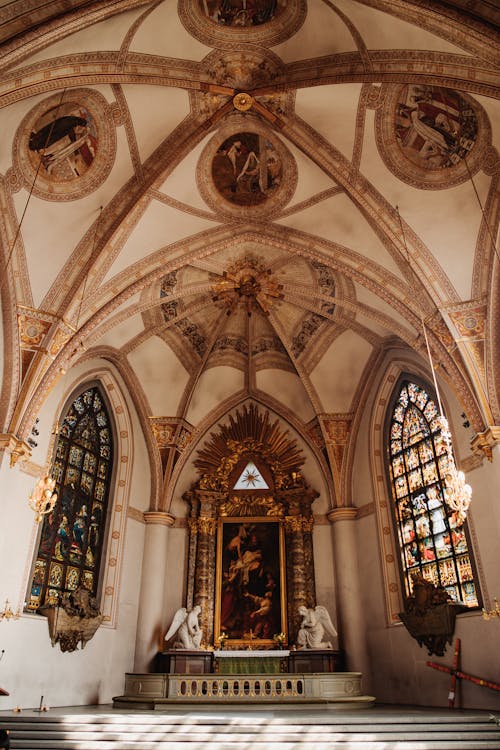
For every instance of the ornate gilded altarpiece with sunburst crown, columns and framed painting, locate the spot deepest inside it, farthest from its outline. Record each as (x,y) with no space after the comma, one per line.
(250,555)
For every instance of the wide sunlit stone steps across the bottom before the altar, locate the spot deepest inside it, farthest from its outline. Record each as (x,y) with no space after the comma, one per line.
(267,730)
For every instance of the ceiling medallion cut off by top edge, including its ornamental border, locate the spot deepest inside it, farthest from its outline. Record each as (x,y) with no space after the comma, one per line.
(221,23)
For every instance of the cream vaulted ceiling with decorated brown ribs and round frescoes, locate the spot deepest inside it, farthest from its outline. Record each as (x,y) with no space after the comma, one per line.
(249,198)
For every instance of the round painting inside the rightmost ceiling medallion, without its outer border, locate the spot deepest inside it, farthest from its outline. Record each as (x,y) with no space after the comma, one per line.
(435,127)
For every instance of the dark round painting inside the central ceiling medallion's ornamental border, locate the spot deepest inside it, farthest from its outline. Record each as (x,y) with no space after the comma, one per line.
(247,169)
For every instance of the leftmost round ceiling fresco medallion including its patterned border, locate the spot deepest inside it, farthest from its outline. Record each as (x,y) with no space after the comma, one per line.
(67,144)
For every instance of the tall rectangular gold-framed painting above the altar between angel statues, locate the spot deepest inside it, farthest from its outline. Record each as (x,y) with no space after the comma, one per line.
(250,595)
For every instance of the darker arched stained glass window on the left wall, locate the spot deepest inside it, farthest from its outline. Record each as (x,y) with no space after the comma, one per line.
(71,540)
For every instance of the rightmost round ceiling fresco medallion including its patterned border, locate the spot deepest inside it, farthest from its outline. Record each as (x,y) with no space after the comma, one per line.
(425,133)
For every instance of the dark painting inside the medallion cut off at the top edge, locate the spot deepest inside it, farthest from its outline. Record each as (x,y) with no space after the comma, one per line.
(242,13)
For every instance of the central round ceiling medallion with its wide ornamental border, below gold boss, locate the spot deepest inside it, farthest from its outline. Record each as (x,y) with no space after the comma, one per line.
(247,172)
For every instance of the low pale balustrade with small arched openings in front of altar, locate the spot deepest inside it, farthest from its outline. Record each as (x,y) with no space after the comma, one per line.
(154,691)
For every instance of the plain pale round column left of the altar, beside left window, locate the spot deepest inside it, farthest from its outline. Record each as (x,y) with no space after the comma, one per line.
(154,575)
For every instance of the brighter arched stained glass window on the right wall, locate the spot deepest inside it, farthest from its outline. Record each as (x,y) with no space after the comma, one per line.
(431,539)
